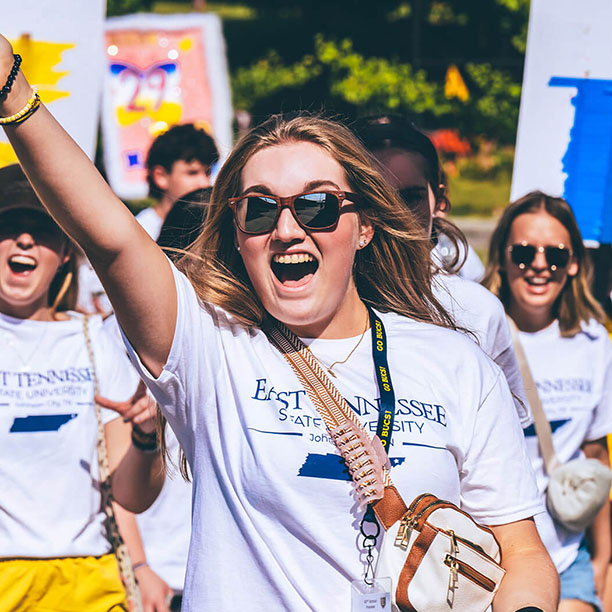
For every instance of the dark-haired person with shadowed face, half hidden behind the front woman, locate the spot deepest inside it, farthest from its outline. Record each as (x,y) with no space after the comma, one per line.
(409,161)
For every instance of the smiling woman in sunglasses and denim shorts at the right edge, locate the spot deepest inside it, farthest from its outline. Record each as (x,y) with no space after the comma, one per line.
(538,268)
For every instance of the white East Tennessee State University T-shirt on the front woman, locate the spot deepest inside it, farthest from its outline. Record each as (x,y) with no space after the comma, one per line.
(272,500)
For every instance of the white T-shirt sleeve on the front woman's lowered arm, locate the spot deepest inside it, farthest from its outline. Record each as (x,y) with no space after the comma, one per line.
(498,485)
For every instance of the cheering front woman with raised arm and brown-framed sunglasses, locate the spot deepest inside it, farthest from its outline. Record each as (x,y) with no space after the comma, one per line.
(275,523)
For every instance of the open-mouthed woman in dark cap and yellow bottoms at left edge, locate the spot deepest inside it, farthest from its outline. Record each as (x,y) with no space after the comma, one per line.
(54,549)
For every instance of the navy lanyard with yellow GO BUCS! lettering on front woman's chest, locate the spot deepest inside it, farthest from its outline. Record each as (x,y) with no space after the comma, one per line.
(386,410)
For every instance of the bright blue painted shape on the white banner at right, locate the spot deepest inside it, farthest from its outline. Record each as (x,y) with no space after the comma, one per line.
(588,159)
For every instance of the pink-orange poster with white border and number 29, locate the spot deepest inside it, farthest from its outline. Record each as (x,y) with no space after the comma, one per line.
(161,70)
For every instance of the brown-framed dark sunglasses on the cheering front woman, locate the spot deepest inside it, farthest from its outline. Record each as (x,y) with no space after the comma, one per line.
(258,213)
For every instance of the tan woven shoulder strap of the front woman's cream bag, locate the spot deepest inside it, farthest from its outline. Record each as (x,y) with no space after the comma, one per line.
(332,407)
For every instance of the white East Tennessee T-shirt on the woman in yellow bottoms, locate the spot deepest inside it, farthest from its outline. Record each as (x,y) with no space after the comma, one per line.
(49,498)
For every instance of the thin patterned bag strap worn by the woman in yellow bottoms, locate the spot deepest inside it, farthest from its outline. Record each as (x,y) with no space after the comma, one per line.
(112,530)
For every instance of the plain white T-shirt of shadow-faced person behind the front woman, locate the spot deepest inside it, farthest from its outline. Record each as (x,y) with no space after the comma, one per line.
(476,309)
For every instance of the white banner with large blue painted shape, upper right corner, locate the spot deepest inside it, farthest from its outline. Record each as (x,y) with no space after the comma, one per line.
(564,140)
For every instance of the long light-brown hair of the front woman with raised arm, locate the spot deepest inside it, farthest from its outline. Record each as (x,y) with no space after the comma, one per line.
(393,273)
